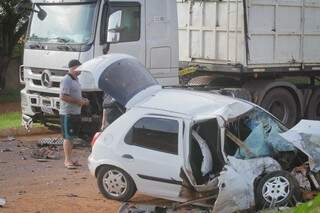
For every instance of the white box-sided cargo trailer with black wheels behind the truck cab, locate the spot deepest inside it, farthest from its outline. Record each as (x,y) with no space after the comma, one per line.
(270,49)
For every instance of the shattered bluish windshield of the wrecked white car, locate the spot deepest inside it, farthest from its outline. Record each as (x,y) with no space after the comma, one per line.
(255,134)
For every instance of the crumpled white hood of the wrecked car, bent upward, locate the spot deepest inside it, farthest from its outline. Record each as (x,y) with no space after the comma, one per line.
(306,137)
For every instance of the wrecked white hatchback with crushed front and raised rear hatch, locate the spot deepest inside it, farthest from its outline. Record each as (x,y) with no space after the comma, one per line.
(222,153)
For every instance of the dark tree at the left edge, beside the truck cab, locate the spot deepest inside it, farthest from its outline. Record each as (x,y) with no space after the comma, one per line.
(12,27)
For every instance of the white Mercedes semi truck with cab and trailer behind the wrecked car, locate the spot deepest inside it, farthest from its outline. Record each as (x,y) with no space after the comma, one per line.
(246,48)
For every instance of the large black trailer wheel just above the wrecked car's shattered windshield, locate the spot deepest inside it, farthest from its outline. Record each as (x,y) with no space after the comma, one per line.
(281,103)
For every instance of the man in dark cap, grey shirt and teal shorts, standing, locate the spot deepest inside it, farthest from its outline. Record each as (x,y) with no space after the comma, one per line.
(70,110)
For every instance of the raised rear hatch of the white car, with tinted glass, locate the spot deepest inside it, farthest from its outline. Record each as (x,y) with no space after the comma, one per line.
(123,77)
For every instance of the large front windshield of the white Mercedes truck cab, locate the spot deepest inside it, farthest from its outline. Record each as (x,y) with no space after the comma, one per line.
(69,23)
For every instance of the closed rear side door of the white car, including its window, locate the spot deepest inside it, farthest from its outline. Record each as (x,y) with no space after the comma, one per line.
(152,152)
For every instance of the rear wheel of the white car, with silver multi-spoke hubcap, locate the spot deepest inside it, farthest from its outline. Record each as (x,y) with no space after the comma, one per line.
(115,184)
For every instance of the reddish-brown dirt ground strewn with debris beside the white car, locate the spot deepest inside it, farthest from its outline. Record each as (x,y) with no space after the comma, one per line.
(32,186)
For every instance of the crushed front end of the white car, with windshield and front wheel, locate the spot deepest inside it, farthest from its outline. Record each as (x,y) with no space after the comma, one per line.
(274,166)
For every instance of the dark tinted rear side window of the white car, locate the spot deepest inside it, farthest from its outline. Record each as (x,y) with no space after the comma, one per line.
(155,133)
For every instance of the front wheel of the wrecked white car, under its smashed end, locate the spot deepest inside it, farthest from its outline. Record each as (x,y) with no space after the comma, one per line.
(276,189)
